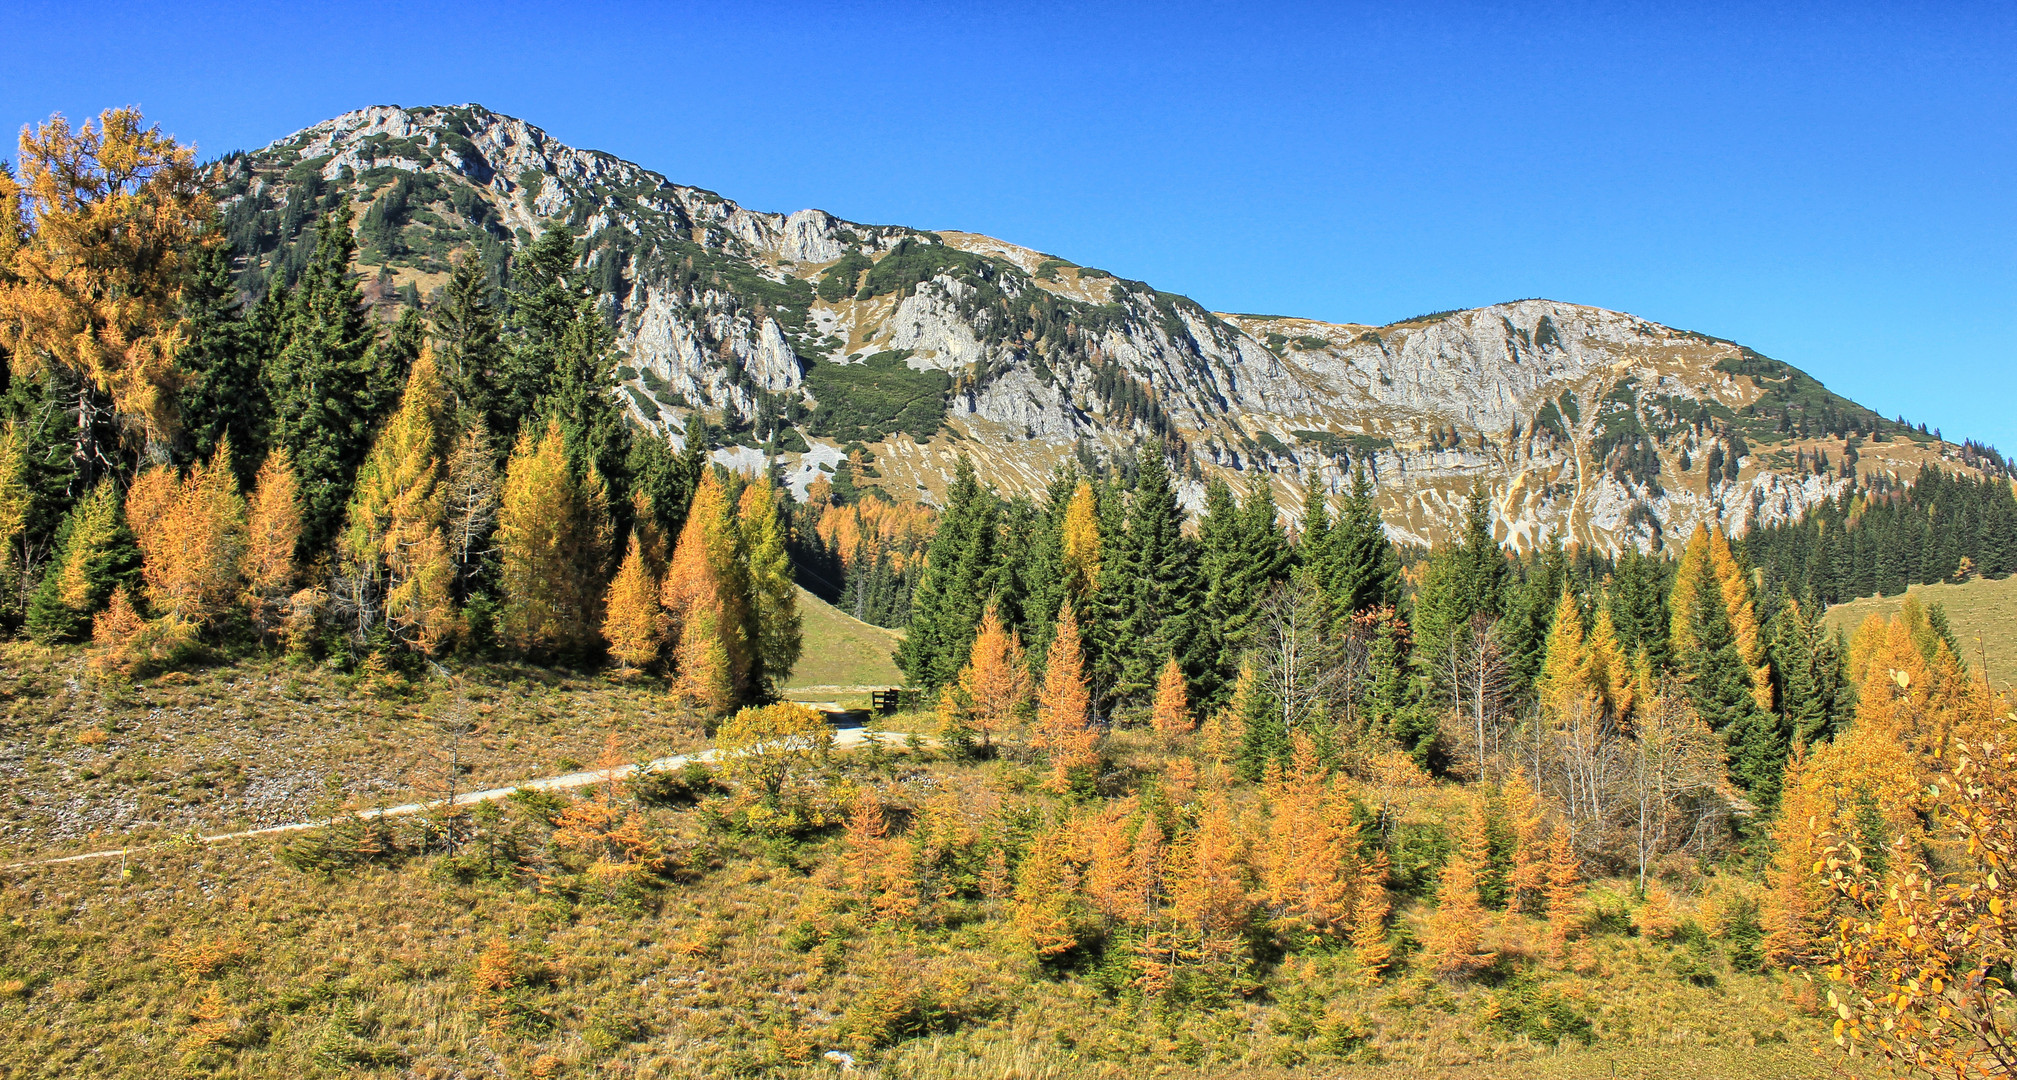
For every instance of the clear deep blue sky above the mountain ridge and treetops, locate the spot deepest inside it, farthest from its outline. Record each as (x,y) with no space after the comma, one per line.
(1830,185)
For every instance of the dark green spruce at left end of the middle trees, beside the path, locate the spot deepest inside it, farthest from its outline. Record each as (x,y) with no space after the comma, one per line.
(957,584)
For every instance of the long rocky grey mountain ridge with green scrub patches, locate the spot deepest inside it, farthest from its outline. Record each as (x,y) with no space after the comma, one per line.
(812,338)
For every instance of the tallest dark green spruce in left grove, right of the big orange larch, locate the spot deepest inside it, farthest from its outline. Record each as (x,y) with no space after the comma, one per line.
(320,379)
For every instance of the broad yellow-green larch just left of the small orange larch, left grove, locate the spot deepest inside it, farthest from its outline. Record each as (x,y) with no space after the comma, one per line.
(552,538)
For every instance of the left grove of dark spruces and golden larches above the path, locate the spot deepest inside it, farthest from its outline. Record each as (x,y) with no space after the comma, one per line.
(185,467)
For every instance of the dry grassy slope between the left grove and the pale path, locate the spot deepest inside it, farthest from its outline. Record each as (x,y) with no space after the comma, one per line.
(90,764)
